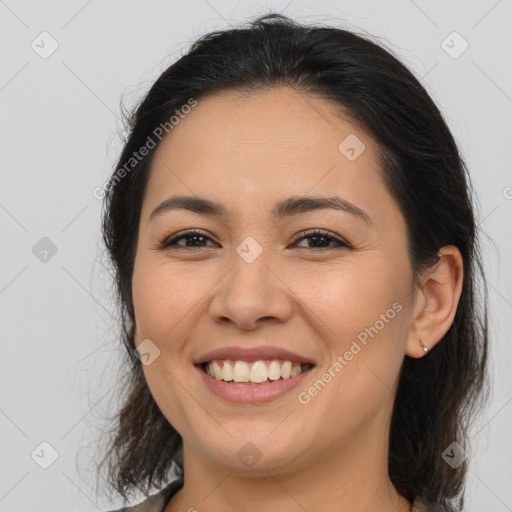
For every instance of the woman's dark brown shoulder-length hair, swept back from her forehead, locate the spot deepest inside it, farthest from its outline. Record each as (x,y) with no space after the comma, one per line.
(438,394)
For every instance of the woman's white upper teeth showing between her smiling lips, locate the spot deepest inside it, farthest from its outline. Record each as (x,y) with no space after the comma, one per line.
(241,371)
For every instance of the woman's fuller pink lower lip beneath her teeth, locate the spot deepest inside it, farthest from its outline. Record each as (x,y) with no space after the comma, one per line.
(252,393)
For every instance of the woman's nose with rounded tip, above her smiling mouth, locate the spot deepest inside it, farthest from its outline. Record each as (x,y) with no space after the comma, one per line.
(249,294)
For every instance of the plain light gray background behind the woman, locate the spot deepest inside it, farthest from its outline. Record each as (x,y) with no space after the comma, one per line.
(59,125)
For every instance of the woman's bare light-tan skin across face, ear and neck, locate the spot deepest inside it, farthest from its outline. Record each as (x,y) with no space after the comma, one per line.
(247,153)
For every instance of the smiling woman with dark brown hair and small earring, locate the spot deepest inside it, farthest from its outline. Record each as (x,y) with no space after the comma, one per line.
(295,252)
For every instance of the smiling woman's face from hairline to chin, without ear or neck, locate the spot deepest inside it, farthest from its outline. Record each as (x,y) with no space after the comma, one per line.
(249,278)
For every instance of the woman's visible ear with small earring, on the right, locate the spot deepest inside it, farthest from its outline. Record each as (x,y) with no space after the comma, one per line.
(436,301)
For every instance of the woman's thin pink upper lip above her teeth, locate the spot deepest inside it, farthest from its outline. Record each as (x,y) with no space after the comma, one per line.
(252,354)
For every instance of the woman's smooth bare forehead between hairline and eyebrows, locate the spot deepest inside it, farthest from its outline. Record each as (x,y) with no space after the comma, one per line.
(266,145)
